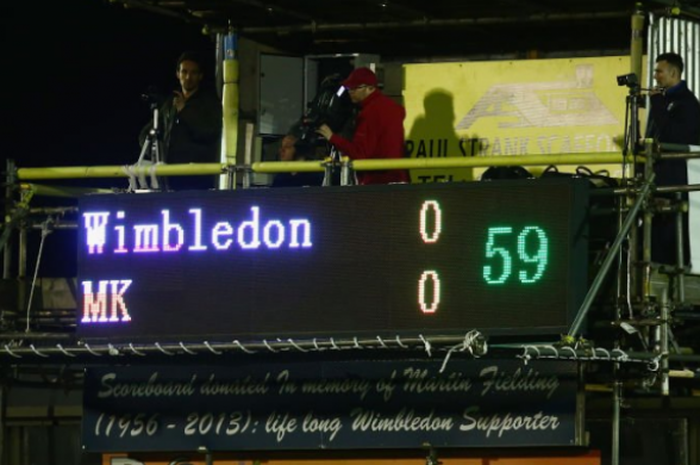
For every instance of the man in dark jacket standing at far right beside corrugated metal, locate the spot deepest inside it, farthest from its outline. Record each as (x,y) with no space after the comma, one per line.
(674,117)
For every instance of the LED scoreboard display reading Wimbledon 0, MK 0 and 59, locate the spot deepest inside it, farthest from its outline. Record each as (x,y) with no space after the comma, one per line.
(503,257)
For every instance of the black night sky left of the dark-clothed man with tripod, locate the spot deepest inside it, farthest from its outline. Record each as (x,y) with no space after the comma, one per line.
(75,74)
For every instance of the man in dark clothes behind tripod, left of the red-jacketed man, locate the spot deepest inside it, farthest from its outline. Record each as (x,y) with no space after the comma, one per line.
(191,121)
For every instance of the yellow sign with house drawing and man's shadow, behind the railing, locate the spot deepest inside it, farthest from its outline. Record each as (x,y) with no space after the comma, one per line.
(527,107)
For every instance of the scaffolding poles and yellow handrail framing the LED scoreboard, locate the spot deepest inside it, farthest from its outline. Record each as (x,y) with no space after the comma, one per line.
(642,312)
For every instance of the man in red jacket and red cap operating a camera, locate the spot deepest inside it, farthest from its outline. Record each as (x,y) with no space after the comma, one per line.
(378,131)
